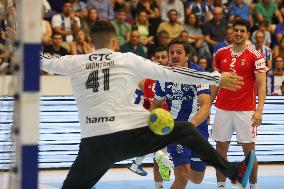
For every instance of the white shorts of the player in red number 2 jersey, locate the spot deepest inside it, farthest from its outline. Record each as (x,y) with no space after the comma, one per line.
(226,122)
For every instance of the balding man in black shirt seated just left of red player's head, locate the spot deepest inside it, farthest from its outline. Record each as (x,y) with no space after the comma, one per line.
(214,30)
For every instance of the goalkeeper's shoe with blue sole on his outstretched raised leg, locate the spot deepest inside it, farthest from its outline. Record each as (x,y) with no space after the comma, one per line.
(244,170)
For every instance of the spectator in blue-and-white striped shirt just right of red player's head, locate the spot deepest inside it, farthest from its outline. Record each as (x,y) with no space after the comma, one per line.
(260,46)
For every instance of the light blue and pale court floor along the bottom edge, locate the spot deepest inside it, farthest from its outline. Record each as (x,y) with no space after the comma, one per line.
(270,177)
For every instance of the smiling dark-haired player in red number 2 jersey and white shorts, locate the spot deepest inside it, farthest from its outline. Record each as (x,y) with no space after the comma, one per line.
(236,110)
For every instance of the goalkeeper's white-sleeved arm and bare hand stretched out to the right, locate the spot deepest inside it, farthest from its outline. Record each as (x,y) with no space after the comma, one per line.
(146,69)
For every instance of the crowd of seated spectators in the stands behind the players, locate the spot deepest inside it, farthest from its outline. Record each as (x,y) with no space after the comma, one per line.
(144,25)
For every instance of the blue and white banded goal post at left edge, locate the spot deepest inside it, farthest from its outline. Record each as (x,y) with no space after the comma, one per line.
(26,113)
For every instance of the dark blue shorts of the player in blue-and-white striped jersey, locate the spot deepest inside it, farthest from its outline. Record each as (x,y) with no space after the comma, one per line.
(182,155)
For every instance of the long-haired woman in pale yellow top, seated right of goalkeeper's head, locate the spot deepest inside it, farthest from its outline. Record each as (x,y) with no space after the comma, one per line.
(142,25)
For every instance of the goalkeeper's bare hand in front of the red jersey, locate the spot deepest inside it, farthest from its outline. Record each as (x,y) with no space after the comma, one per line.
(231,81)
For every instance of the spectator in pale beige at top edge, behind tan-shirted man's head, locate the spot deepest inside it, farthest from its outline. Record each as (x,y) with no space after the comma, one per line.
(168,5)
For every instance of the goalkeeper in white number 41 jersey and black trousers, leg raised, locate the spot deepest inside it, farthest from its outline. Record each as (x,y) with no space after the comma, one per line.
(114,129)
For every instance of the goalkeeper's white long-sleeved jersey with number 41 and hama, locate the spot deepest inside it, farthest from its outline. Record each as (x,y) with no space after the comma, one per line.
(104,82)
